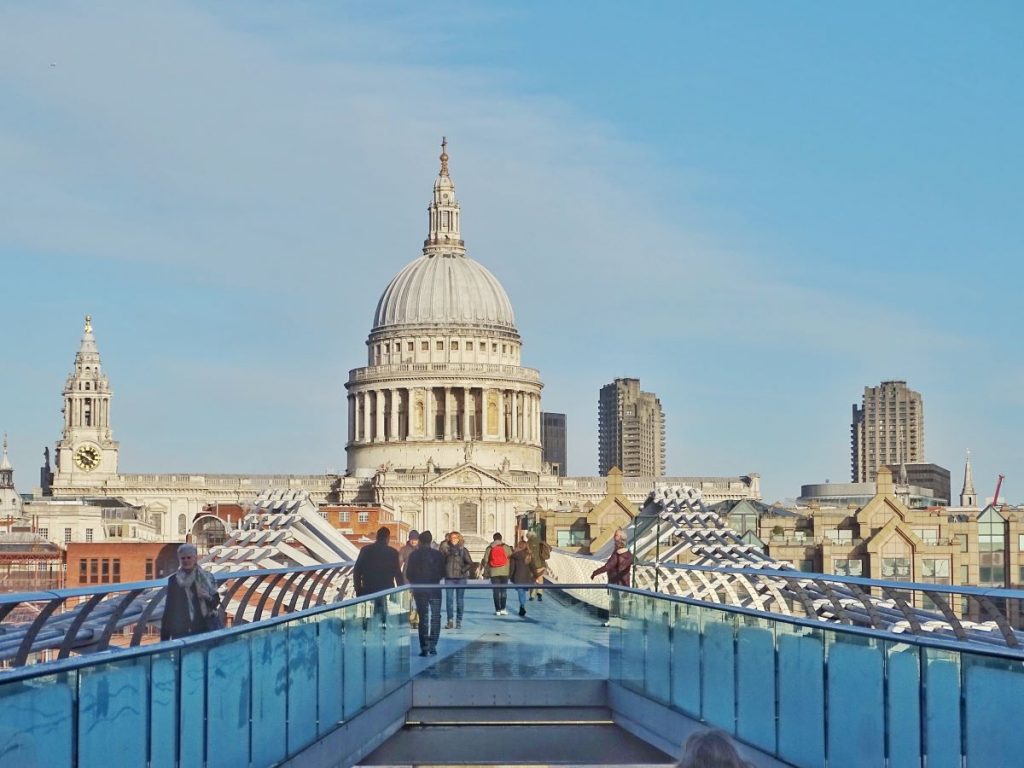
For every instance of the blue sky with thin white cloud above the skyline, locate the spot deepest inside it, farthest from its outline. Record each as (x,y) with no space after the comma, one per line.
(757,210)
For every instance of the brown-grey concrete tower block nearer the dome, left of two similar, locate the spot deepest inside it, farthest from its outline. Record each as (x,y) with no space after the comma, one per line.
(631,431)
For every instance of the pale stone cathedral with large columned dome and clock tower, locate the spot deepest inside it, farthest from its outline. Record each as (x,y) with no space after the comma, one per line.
(444,420)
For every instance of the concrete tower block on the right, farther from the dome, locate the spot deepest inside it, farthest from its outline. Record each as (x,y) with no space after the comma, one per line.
(888,430)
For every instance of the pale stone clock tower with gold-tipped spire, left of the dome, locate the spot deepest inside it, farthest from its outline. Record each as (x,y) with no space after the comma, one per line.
(87,453)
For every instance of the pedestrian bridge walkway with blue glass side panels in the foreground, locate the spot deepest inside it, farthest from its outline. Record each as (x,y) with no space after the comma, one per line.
(343,685)
